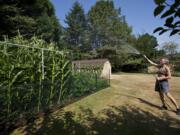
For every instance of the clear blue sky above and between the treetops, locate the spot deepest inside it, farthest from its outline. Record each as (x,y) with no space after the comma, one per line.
(138,14)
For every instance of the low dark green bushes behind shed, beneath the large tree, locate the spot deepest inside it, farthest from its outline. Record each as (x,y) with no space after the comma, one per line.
(122,61)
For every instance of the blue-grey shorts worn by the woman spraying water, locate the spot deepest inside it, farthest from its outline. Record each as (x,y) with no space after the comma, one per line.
(162,86)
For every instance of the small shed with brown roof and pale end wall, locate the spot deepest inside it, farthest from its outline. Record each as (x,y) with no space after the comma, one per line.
(94,63)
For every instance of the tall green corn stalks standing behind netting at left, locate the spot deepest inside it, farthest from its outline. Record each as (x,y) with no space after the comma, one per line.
(28,82)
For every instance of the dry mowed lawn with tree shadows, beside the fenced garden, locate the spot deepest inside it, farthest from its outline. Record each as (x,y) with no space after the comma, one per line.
(129,107)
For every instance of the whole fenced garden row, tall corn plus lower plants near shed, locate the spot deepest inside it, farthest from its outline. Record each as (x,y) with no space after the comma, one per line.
(35,77)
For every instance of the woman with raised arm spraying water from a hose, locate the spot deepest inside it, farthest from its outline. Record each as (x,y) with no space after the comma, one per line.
(162,84)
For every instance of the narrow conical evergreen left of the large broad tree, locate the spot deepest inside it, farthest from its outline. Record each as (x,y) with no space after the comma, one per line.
(77,25)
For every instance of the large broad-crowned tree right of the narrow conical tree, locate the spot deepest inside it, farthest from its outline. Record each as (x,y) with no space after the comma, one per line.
(107,26)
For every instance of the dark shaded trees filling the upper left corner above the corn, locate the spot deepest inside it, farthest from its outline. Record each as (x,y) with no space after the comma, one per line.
(30,17)
